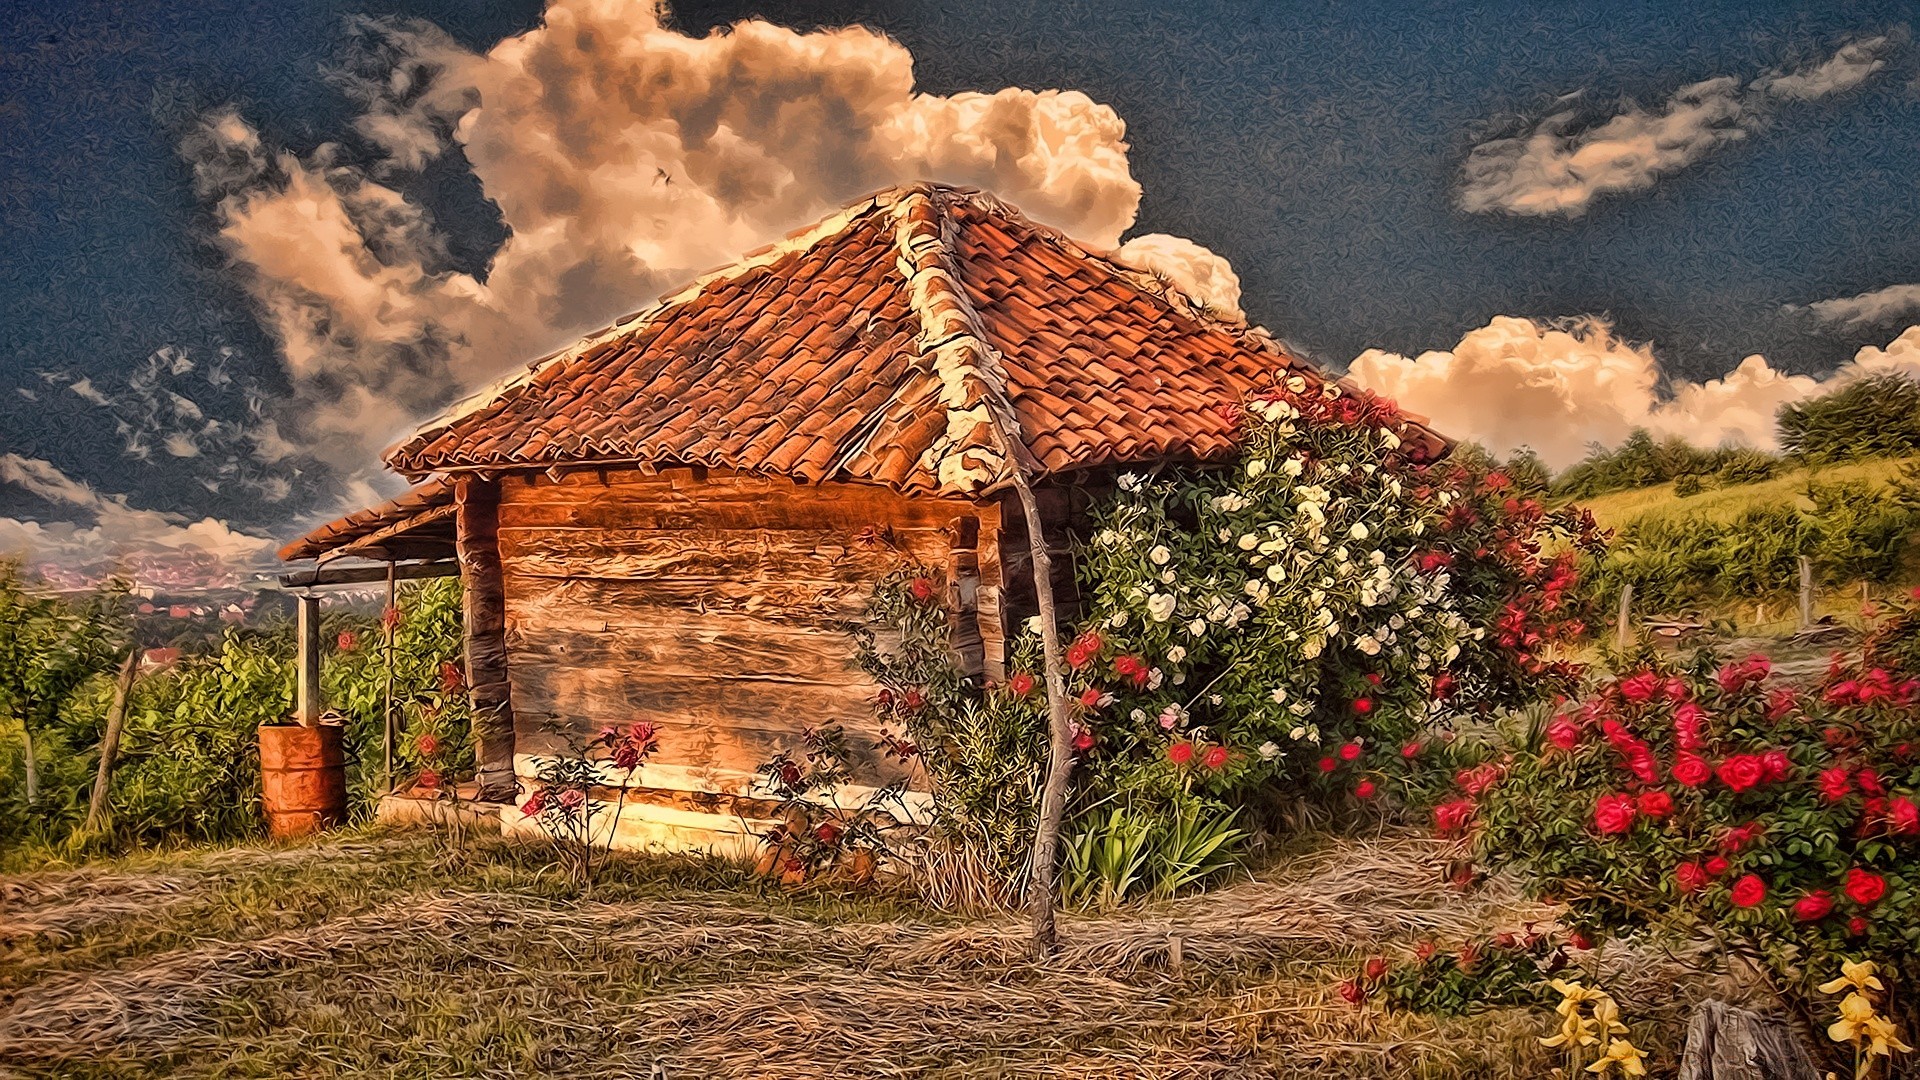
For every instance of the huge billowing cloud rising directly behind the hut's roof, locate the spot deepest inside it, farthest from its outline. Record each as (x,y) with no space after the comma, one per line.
(625,159)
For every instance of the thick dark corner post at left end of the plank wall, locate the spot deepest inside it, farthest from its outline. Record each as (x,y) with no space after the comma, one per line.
(485,606)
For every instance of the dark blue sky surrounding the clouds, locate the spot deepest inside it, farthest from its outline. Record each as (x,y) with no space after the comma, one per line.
(1318,147)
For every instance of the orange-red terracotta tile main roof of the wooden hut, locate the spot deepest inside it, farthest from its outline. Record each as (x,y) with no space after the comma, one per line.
(915,339)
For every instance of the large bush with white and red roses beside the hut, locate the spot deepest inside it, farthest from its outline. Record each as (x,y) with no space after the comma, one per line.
(1318,616)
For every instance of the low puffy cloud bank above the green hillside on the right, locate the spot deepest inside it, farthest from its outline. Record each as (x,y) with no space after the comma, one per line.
(1560,387)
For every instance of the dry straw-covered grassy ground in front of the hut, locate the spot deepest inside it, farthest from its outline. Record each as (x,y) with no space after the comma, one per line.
(375,954)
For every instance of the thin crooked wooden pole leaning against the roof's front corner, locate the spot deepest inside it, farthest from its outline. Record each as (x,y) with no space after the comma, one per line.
(1059,731)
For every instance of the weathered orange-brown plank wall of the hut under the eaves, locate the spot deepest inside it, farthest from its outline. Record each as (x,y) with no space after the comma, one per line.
(713,606)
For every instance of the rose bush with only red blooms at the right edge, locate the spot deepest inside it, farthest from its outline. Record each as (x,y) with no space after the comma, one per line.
(1717,800)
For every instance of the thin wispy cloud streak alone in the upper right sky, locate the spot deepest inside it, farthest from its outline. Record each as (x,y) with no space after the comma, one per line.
(1568,160)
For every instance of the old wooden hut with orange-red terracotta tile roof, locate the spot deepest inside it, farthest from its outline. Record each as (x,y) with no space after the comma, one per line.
(677,518)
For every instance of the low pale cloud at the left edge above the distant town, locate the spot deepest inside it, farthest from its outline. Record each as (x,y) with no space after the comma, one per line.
(149,547)
